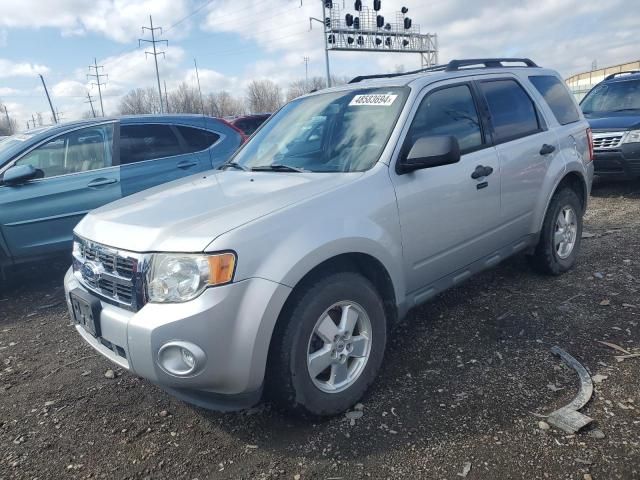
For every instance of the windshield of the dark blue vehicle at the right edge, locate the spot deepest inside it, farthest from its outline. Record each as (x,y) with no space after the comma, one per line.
(613,97)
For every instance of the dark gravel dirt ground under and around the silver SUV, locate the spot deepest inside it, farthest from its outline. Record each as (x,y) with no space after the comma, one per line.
(463,384)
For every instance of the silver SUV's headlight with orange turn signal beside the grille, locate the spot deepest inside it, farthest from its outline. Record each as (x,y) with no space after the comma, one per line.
(175,278)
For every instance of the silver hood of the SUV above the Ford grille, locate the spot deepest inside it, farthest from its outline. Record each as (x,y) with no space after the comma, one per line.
(188,214)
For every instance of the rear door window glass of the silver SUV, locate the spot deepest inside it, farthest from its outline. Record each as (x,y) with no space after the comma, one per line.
(513,114)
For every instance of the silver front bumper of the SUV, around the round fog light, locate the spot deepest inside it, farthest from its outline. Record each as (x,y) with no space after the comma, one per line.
(232,324)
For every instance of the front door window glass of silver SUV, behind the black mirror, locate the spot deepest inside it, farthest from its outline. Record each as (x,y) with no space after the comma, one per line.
(449,111)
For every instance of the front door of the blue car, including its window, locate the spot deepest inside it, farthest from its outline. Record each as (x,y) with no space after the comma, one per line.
(78,174)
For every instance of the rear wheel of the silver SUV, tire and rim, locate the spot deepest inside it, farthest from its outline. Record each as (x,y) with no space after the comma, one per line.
(559,242)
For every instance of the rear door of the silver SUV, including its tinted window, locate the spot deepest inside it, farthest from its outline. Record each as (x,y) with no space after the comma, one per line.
(526,148)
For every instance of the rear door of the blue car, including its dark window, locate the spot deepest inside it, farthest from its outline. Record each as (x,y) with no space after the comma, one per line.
(154,153)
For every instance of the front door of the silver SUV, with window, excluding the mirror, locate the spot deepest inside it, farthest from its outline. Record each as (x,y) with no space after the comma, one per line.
(448,219)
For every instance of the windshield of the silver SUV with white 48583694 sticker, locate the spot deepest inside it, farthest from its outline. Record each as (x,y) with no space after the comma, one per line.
(331,132)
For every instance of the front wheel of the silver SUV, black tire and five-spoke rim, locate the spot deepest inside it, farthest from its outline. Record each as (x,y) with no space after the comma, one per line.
(328,346)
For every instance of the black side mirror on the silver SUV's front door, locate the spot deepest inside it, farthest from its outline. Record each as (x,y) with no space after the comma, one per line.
(430,151)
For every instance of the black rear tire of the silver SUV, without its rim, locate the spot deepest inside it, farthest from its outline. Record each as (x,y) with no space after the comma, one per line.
(545,258)
